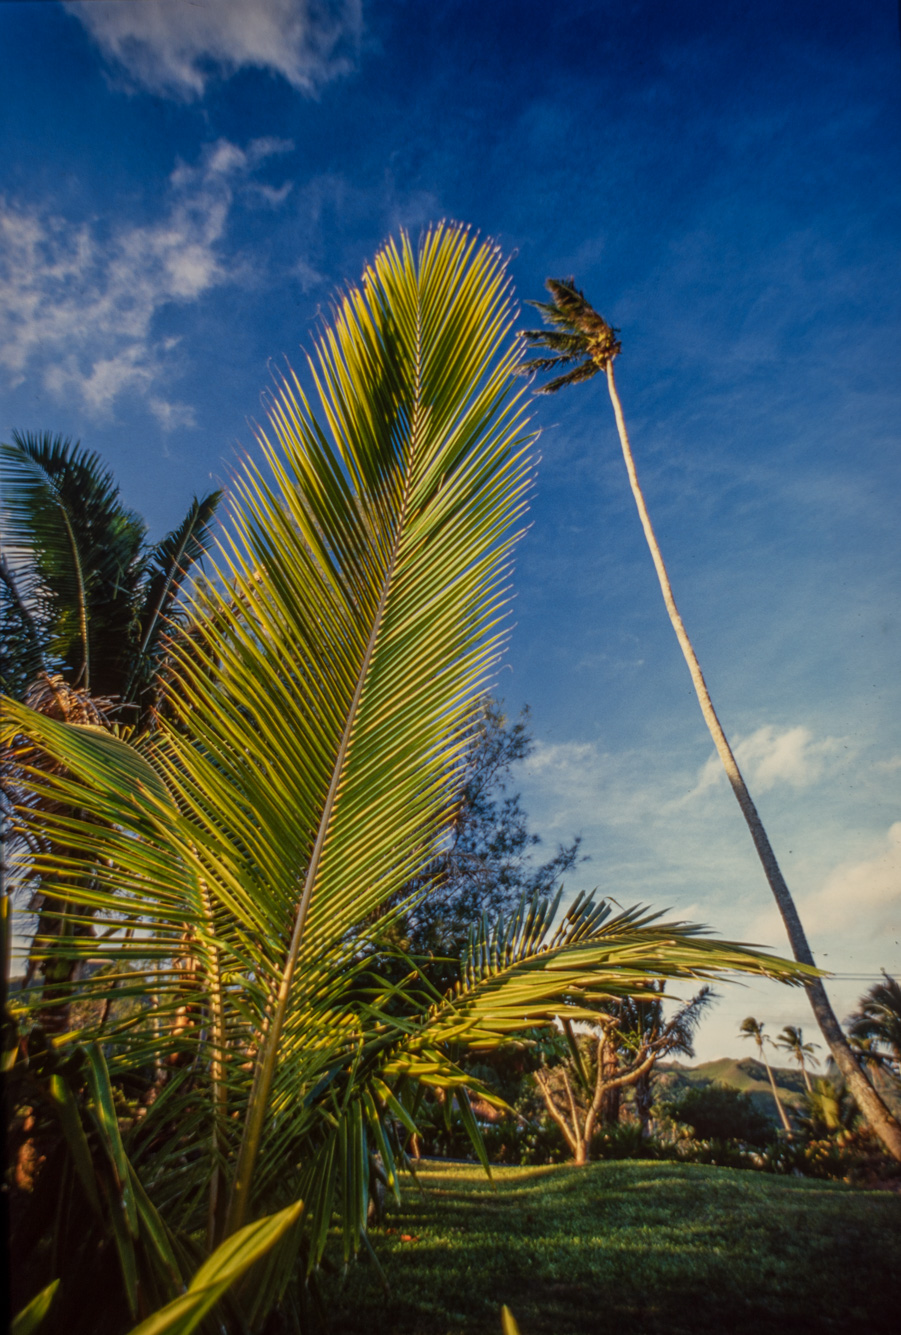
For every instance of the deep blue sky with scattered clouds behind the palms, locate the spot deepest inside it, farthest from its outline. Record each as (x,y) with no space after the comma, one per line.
(186,185)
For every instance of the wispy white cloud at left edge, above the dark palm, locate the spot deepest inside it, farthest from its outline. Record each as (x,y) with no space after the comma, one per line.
(78,302)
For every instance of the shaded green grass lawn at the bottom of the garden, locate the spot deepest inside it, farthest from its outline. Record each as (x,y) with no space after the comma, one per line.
(631,1248)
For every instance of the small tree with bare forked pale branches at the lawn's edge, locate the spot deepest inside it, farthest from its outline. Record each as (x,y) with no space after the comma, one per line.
(631,1038)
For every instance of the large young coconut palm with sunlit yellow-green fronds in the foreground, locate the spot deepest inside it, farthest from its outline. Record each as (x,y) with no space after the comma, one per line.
(309,766)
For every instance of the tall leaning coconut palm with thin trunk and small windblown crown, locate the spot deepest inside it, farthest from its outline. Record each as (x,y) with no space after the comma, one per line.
(581,344)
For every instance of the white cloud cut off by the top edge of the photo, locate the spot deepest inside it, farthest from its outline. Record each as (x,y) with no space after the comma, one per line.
(172,47)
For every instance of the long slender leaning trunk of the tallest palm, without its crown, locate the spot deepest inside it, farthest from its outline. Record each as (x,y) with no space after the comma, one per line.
(868,1101)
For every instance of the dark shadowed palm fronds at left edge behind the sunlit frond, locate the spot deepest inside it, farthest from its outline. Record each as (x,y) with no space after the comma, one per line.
(86,599)
